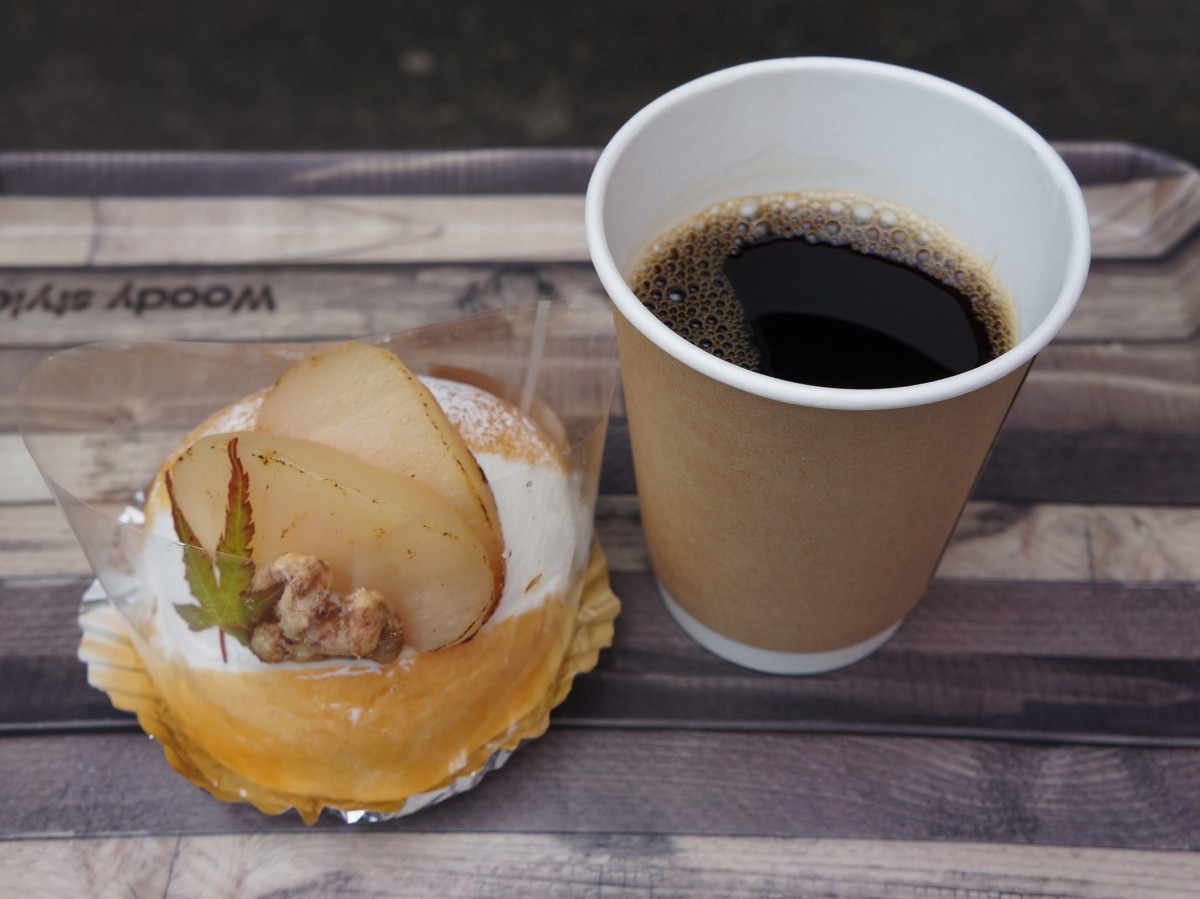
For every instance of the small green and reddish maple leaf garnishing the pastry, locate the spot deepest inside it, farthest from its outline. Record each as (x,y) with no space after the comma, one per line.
(224,589)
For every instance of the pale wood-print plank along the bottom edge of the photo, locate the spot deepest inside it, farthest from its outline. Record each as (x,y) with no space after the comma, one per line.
(580,867)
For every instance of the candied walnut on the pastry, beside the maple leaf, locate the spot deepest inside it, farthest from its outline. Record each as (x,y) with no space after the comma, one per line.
(311,622)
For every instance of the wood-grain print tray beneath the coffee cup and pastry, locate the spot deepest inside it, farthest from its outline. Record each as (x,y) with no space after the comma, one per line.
(1033,730)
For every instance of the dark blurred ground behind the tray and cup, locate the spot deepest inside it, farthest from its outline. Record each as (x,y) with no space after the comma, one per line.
(459,74)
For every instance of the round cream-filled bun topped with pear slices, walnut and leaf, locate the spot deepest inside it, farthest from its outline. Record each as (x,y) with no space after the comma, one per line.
(370,586)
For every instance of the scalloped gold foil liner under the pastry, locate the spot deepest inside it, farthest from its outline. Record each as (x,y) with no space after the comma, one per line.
(116,667)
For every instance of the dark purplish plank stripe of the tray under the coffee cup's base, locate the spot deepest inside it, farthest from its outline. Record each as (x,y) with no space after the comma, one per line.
(1103,663)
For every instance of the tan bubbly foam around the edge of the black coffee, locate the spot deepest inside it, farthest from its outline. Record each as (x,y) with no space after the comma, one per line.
(681,278)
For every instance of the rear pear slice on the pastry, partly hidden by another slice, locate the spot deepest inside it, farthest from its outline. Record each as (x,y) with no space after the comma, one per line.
(364,401)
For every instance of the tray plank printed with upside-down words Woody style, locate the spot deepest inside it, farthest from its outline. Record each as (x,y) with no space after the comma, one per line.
(203,303)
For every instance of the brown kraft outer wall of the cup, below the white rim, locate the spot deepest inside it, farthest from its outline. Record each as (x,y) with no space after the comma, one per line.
(794,529)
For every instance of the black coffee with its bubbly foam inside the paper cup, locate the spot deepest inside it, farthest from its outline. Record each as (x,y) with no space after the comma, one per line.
(835,290)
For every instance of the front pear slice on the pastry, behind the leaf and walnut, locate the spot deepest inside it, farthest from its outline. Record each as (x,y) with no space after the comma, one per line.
(376,530)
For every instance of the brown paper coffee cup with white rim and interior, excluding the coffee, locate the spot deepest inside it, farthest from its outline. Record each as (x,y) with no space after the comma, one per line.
(793,528)
